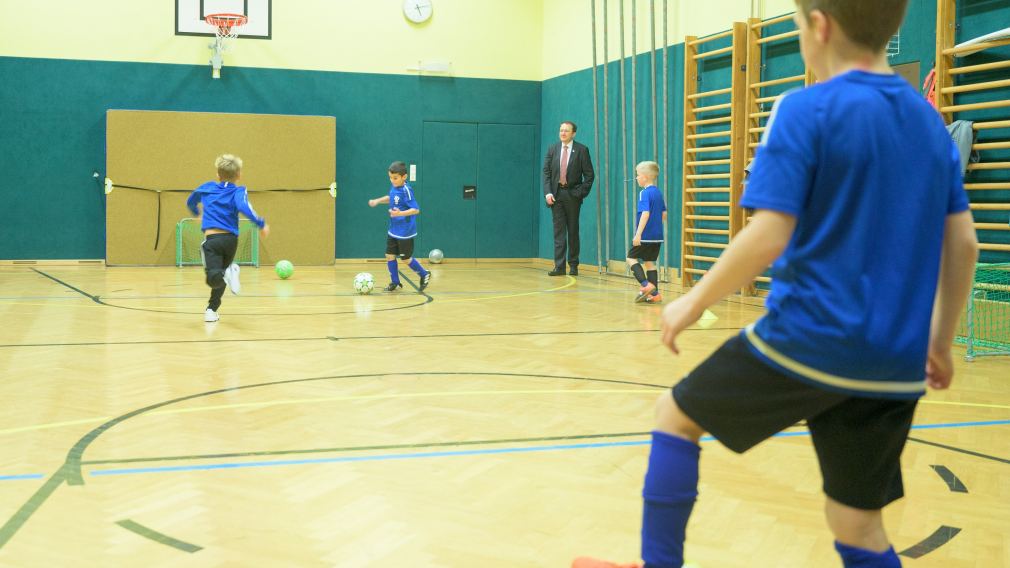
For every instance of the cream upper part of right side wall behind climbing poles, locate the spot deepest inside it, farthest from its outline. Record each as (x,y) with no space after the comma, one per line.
(570,23)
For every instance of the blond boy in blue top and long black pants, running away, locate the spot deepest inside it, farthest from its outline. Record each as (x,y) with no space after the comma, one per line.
(223,202)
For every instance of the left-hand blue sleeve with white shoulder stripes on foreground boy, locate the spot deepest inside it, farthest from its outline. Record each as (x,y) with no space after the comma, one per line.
(786,162)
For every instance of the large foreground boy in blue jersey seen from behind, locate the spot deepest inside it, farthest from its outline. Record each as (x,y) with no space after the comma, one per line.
(859,202)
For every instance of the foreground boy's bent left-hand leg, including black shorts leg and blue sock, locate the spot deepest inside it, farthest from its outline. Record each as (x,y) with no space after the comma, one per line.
(742,402)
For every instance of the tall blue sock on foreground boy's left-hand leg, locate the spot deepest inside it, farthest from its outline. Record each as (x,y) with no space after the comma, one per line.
(670,494)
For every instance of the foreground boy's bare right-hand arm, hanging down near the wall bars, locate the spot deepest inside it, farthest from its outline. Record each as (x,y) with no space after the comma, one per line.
(958,258)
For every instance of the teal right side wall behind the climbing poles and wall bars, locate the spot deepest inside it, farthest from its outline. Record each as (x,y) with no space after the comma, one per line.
(570,97)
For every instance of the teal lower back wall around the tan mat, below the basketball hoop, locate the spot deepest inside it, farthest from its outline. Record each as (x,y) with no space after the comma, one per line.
(54,137)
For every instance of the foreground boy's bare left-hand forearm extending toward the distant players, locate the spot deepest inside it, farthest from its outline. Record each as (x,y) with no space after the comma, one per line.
(760,244)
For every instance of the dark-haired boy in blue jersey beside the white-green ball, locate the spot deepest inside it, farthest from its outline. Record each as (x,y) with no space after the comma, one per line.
(402,227)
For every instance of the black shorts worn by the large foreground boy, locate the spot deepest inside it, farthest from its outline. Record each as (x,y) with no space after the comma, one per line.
(743,402)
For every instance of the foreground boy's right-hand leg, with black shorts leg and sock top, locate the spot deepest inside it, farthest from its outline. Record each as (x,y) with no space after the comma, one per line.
(859,447)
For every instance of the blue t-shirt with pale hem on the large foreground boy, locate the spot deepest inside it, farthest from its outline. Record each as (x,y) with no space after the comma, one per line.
(866,166)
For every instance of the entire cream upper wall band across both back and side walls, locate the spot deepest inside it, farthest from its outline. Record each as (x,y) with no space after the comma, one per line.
(526,40)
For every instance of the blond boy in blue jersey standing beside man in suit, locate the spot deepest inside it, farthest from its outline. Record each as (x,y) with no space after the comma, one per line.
(652,214)
